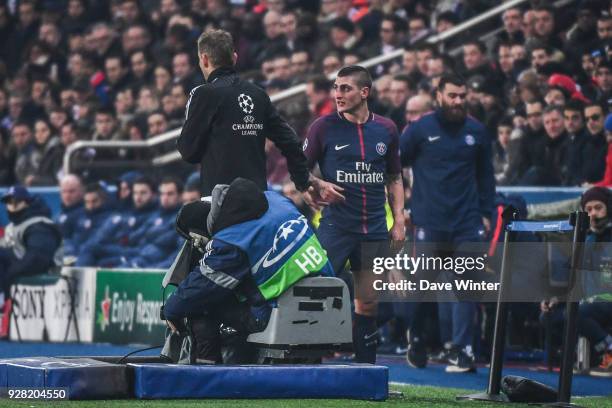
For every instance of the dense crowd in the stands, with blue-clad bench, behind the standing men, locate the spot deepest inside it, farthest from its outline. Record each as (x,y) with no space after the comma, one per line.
(123,70)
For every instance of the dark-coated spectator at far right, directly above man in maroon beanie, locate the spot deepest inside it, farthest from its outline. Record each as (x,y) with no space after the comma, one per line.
(595,146)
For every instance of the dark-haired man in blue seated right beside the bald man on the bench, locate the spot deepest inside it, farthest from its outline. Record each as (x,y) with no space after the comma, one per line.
(97,209)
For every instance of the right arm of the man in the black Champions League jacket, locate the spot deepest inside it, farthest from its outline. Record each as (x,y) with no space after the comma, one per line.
(285,138)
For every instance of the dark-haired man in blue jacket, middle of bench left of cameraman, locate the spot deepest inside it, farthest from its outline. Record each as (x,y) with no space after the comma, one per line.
(121,230)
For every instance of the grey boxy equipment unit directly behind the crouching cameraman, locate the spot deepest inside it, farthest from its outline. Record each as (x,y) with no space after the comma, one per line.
(310,320)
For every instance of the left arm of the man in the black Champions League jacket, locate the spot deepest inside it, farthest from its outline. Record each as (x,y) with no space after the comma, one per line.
(199,113)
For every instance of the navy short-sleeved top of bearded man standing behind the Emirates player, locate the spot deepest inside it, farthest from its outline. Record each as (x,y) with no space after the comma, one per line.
(454,184)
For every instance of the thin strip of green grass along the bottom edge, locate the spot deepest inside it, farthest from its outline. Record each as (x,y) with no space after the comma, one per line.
(415,396)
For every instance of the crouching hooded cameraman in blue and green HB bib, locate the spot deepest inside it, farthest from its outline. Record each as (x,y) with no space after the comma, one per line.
(259,246)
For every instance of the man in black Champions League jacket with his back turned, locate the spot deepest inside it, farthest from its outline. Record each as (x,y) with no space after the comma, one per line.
(227,122)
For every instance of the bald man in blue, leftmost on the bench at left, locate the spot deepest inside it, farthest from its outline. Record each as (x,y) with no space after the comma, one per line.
(71,195)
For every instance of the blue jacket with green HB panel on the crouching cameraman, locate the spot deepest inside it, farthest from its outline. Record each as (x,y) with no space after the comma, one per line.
(258,258)
